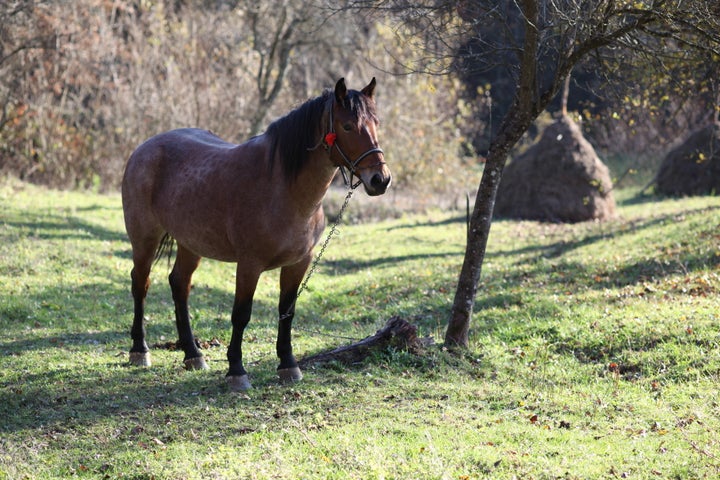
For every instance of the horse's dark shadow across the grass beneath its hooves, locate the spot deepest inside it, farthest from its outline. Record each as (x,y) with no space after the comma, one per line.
(67,396)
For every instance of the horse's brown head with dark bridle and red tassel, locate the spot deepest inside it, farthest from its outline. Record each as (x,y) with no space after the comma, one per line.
(353,133)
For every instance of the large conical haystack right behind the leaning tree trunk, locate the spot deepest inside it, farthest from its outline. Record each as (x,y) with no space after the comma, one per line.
(559,179)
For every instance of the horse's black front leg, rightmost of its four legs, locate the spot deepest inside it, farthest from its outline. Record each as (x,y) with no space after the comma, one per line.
(290,278)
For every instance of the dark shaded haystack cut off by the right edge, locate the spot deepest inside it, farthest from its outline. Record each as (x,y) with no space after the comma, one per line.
(692,168)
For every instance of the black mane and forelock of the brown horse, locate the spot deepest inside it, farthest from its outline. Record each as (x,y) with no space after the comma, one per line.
(294,136)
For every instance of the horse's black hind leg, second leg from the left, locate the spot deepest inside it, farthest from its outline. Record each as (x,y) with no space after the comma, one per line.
(180,279)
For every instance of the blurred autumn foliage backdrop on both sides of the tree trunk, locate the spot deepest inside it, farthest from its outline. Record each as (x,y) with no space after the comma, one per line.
(82,83)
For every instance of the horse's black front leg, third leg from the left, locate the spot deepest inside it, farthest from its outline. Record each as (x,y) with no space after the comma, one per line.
(237,377)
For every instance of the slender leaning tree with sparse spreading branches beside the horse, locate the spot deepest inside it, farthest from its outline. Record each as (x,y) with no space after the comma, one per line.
(538,43)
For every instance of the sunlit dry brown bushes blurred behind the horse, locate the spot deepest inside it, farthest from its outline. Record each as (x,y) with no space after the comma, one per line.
(85,82)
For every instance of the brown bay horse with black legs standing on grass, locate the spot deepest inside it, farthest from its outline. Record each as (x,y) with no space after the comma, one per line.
(258,204)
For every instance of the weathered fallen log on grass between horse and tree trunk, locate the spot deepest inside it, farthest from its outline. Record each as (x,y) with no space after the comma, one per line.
(397,333)
